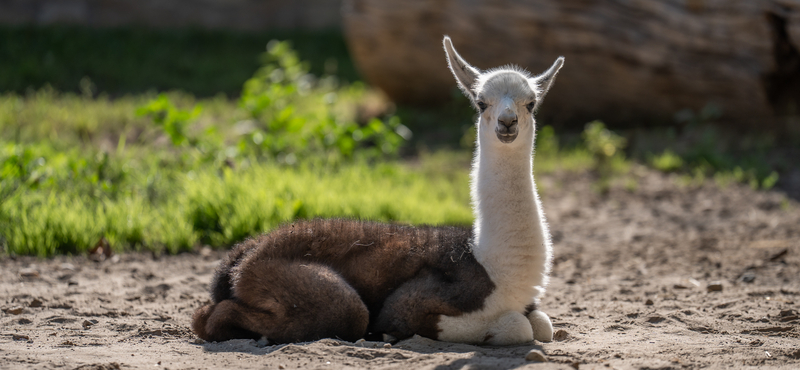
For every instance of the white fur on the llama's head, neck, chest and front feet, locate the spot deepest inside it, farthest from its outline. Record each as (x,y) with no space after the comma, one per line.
(512,241)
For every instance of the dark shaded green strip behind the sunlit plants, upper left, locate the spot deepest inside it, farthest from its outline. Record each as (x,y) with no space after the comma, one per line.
(135,60)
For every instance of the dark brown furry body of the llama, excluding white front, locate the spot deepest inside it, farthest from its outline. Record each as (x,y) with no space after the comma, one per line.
(345,279)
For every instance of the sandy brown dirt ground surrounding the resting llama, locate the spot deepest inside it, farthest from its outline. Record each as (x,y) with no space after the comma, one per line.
(664,276)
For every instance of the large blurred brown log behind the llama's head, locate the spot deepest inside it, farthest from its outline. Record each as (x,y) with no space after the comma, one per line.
(635,61)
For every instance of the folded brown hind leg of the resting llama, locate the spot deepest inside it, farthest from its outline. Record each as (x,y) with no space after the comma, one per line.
(286,302)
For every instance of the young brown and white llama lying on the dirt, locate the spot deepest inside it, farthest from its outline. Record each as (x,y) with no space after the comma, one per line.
(352,279)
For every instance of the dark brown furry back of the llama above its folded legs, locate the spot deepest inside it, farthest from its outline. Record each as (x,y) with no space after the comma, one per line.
(375,258)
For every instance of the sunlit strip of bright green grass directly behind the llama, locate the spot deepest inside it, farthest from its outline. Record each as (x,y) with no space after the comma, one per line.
(159,208)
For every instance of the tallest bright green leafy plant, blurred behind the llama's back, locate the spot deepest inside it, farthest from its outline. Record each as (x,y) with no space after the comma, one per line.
(295,115)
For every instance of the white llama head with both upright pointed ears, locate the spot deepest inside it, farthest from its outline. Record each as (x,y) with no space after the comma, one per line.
(506,97)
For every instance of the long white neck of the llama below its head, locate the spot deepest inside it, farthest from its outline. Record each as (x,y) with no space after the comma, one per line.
(510,232)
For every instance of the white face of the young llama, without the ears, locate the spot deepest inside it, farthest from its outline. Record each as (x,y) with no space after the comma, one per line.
(506,101)
